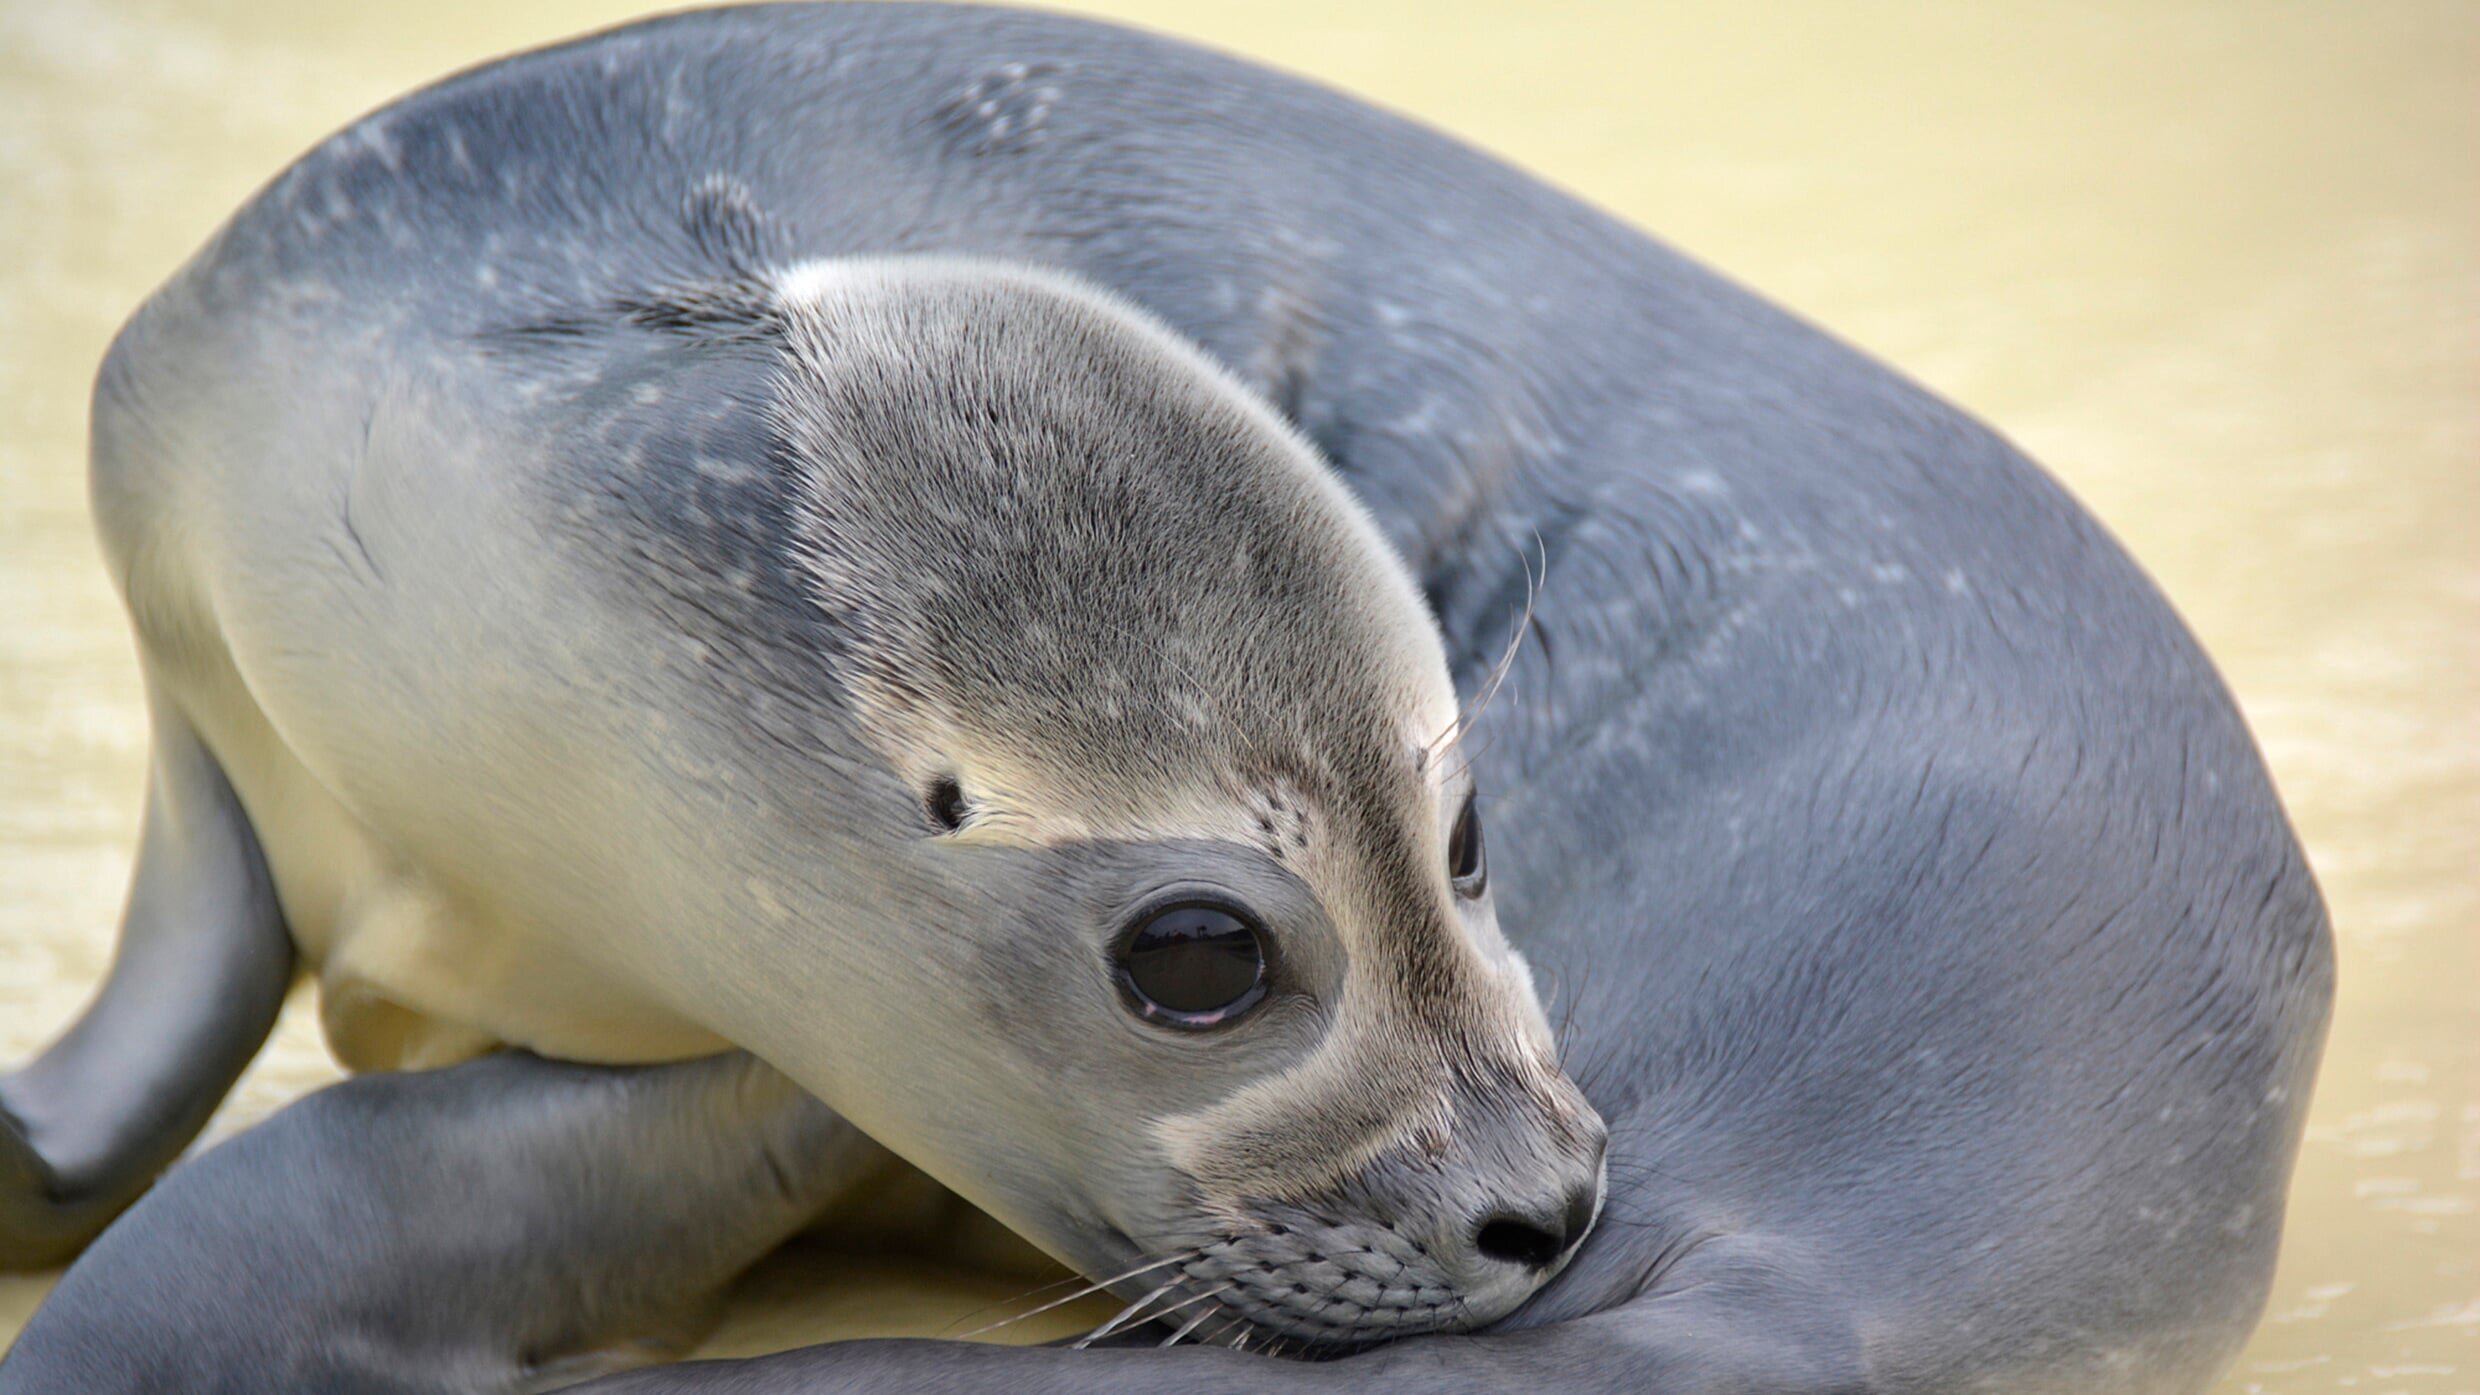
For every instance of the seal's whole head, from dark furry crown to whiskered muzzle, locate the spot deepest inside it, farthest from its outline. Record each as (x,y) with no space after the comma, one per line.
(1204,974)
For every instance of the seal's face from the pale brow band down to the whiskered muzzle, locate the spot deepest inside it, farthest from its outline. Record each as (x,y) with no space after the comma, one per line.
(1296,1079)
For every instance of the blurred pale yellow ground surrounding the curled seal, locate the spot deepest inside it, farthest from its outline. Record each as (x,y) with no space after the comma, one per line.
(2218,267)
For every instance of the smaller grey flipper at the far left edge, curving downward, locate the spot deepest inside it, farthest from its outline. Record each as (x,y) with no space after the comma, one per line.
(195,989)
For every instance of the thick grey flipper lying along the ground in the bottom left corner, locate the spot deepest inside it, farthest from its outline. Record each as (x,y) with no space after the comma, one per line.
(502,1225)
